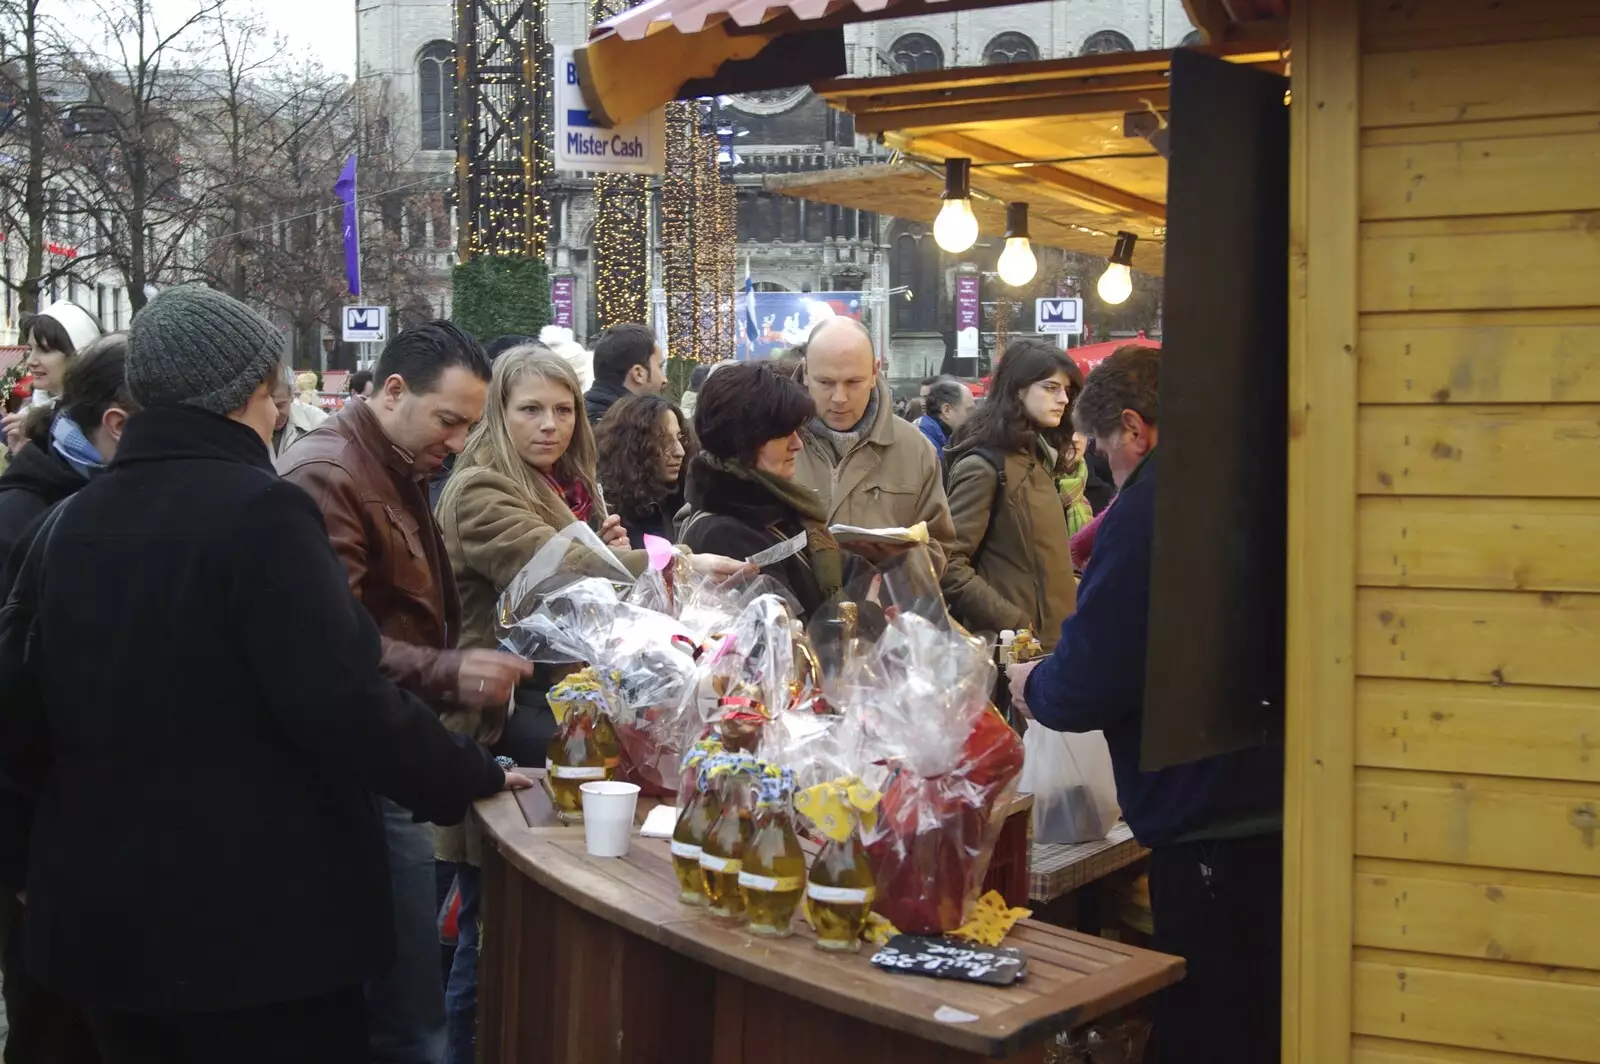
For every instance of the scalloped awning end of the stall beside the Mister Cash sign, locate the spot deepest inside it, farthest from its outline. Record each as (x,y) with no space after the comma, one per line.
(666,50)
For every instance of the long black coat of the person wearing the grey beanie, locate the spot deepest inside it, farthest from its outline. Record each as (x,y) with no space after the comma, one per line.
(215,729)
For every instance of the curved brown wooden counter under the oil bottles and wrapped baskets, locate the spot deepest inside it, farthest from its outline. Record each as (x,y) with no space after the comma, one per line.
(591,961)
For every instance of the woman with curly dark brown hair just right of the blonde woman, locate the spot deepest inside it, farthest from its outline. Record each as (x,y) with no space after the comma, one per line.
(644,444)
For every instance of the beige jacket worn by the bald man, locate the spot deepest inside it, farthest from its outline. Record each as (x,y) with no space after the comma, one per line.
(890,479)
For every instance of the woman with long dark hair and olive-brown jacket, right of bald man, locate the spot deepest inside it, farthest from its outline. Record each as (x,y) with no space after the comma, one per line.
(1012,566)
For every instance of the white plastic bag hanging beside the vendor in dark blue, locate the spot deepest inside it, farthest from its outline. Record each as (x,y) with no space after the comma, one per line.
(1073,786)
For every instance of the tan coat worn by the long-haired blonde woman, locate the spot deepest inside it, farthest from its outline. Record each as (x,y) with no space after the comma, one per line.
(490,534)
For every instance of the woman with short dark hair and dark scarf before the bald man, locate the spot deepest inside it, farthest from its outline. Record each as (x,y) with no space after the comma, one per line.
(742,490)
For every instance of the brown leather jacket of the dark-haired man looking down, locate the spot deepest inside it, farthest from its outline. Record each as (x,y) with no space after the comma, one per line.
(378,519)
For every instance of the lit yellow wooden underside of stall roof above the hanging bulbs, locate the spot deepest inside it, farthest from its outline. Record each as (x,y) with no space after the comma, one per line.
(1073,138)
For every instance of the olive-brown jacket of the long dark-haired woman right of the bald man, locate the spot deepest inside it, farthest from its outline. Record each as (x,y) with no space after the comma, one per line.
(1025,574)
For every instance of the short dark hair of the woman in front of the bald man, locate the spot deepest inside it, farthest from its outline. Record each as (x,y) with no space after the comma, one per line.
(746,406)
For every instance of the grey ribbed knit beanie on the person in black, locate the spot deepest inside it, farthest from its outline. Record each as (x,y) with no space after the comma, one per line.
(199,348)
